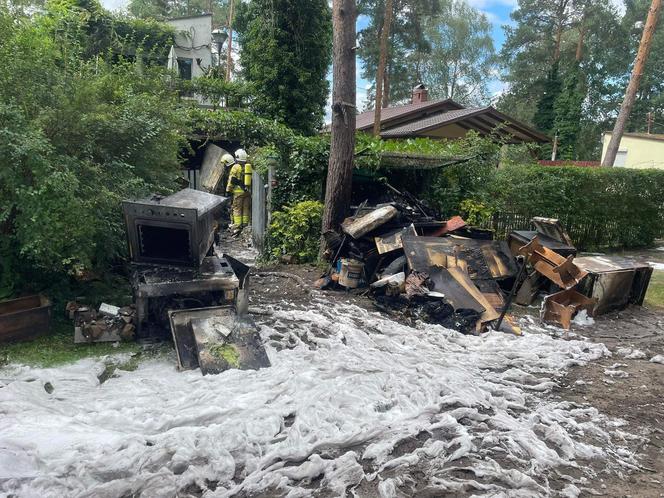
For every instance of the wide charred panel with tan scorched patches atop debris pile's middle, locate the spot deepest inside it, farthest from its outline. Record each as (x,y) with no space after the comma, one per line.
(483,259)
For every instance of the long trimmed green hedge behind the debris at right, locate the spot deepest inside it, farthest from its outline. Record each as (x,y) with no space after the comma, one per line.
(600,207)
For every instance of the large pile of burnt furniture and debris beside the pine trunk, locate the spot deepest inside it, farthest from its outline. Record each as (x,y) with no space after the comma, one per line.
(444,271)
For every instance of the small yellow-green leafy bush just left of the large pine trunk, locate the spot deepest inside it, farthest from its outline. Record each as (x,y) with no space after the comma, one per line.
(295,231)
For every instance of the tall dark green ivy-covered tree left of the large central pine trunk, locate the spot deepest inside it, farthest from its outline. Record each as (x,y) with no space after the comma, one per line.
(285,53)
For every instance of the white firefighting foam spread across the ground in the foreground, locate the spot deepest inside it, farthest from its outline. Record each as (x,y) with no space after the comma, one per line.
(354,402)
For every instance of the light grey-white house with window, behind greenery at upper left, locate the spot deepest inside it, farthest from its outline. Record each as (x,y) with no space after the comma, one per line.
(191,54)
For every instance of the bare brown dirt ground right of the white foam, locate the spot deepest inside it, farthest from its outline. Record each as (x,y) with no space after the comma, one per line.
(636,396)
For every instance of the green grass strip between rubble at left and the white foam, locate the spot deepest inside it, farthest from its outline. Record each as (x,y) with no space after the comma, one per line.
(58,348)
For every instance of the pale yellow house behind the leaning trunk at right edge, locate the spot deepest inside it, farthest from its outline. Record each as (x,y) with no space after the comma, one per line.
(637,150)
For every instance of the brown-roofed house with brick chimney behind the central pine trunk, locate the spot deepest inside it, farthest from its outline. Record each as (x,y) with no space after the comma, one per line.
(446,119)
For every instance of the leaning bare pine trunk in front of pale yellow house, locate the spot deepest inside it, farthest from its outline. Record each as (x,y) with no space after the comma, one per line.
(635,80)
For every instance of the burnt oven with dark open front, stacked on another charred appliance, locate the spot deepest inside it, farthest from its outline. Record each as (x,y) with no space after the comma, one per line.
(173,230)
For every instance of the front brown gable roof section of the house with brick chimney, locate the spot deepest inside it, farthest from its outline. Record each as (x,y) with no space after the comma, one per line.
(484,120)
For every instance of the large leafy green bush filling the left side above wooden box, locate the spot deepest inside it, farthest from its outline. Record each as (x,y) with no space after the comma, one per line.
(83,133)
